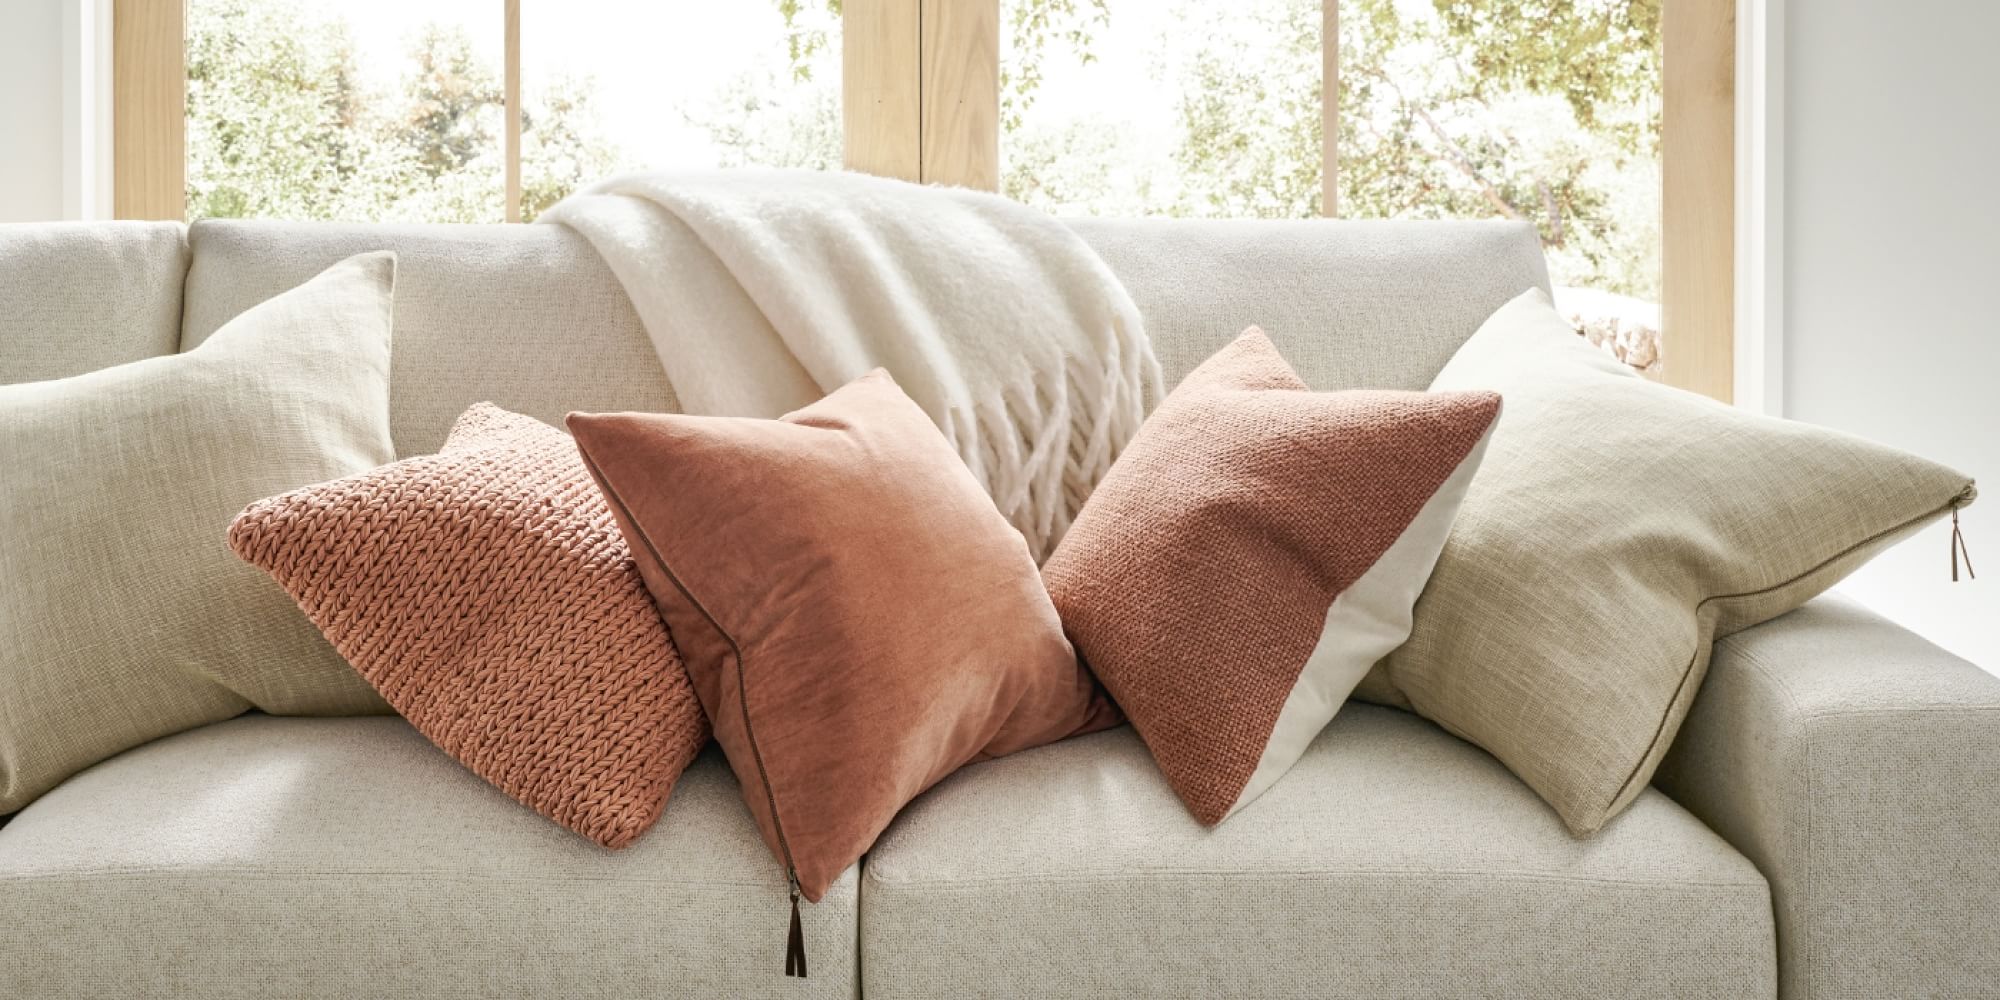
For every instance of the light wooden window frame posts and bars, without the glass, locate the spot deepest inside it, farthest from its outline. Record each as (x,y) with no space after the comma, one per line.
(921,101)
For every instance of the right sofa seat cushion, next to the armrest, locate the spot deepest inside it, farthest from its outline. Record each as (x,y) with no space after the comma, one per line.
(1393,861)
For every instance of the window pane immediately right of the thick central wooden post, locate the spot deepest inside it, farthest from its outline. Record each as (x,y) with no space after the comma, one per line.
(1161,107)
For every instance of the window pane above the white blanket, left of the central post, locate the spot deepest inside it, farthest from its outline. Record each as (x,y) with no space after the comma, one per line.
(629,85)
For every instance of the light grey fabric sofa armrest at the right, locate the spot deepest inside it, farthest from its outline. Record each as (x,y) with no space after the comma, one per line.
(1859,769)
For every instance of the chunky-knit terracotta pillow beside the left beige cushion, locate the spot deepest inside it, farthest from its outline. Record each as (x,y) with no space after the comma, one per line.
(487,593)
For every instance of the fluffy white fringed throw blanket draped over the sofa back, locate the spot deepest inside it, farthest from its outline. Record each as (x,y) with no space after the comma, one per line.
(769,289)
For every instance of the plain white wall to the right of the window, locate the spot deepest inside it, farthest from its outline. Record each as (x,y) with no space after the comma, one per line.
(1893,265)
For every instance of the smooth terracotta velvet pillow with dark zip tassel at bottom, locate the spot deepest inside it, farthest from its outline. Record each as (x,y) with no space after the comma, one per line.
(857,617)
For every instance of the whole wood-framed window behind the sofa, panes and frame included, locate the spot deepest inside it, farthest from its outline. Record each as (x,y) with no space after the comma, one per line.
(1609,125)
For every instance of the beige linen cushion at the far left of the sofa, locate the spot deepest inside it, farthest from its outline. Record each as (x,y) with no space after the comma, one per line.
(125,613)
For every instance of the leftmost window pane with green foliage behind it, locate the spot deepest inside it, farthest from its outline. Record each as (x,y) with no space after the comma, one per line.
(371,111)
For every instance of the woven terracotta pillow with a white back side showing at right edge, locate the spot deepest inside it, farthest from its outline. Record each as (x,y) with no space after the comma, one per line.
(1253,553)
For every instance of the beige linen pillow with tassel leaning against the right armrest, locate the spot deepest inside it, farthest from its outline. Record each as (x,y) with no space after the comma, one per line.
(1613,533)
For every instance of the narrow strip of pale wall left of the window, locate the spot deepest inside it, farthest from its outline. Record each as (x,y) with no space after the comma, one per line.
(31,109)
